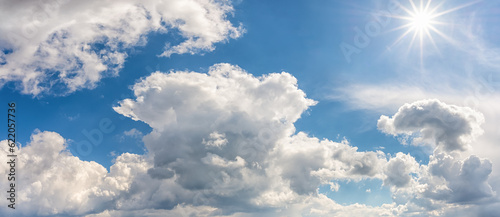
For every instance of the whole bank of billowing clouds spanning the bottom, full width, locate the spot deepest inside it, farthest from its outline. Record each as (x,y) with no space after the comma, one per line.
(264,167)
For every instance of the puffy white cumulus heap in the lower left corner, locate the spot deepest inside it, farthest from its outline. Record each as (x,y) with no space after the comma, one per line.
(53,182)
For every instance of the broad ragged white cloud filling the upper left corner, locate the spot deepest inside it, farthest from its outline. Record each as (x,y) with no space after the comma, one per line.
(65,45)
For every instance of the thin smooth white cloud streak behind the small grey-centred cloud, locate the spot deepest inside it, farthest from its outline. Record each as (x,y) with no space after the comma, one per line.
(387,98)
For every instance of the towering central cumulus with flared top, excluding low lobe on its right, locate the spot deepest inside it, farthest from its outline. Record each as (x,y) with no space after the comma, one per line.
(203,121)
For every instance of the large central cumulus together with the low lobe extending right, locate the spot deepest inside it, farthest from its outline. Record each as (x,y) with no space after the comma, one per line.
(231,135)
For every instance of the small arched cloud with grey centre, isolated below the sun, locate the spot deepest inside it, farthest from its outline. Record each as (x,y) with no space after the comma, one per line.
(448,127)
